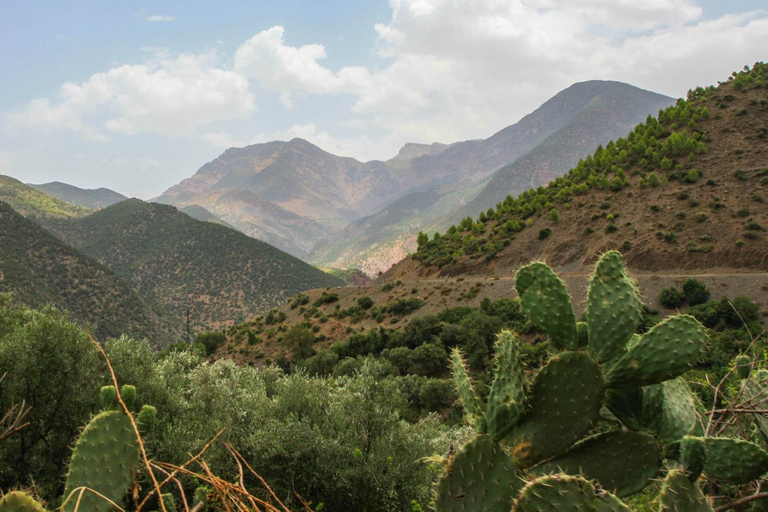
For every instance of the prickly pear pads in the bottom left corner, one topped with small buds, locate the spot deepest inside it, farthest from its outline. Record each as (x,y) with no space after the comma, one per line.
(104,461)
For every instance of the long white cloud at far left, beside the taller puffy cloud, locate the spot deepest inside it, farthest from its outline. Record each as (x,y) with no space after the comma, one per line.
(171,95)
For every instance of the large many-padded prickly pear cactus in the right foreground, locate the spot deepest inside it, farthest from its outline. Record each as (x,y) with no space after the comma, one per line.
(604,370)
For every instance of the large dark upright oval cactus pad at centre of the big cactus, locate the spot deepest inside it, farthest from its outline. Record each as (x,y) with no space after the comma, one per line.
(564,401)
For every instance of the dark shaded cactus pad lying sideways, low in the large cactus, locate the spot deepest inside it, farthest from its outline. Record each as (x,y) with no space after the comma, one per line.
(621,462)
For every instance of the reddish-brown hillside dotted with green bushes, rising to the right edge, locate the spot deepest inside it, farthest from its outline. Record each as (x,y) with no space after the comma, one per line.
(683,195)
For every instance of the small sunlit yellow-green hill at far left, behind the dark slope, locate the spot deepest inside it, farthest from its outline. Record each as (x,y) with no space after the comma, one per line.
(33,204)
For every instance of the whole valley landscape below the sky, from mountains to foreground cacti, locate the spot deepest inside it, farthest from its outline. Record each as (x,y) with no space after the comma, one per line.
(569,314)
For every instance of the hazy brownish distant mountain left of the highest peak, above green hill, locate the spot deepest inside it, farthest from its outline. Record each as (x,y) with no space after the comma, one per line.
(290,194)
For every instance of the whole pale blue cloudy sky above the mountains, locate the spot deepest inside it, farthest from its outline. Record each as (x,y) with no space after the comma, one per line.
(136,96)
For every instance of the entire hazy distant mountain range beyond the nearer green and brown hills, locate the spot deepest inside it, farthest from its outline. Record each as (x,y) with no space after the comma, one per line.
(339,212)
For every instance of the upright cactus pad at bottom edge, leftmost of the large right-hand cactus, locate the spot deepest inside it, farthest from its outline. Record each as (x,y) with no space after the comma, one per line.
(481,476)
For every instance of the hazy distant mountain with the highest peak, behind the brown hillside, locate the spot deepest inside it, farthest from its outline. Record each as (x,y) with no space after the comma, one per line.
(541,146)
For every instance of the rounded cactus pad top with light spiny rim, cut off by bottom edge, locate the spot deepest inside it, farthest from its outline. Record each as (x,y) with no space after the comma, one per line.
(565,493)
